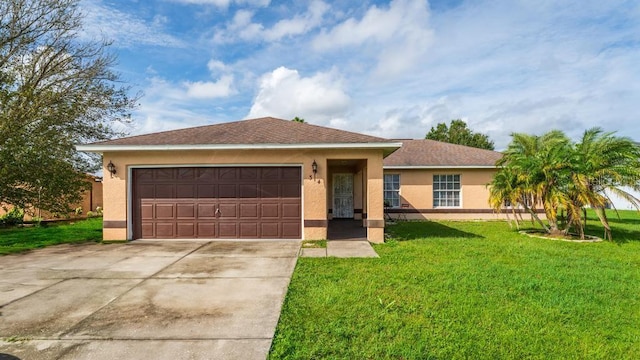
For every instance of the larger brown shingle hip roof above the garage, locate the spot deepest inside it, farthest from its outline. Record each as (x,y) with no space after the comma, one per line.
(266,130)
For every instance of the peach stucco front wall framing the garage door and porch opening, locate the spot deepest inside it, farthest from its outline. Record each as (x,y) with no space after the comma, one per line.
(314,189)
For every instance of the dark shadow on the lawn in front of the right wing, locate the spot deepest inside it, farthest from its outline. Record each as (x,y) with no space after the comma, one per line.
(404,231)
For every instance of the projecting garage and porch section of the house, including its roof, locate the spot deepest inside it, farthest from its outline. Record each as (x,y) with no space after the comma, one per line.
(262,178)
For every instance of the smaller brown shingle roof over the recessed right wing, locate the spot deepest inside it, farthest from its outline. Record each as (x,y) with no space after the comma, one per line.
(430,153)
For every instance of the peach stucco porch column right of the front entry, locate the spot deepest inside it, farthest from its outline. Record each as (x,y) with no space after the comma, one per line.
(375,202)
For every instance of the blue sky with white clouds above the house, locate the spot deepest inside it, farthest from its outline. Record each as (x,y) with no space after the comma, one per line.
(391,69)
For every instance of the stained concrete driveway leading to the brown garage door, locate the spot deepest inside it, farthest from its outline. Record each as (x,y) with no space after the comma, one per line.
(144,300)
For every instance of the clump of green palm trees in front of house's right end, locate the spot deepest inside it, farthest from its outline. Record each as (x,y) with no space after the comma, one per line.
(562,176)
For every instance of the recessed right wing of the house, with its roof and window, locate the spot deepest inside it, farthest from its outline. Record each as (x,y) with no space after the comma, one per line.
(427,179)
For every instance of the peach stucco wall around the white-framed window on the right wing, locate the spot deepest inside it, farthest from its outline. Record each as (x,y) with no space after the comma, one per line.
(416,194)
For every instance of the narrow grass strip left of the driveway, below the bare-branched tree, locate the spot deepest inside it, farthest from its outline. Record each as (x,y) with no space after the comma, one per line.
(14,240)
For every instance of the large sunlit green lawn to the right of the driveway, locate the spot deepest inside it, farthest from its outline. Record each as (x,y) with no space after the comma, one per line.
(459,290)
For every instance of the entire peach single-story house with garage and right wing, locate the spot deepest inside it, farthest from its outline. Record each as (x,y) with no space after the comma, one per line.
(271,178)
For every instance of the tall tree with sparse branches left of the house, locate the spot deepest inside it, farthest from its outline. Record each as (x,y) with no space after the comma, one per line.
(55,91)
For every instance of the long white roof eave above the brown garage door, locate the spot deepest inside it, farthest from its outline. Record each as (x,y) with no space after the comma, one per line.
(98,148)
